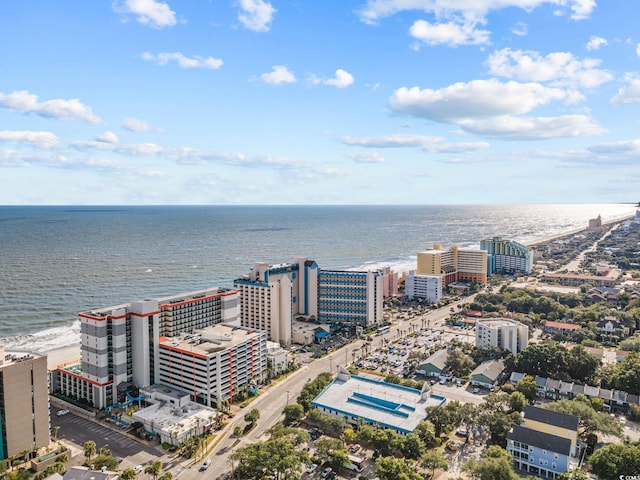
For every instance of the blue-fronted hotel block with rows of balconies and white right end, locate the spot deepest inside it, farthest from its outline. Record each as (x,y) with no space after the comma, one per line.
(354,298)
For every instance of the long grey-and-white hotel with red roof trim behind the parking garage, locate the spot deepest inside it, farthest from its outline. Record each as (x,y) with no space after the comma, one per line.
(119,345)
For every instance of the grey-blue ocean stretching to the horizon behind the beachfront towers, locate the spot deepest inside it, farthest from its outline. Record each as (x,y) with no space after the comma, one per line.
(58,261)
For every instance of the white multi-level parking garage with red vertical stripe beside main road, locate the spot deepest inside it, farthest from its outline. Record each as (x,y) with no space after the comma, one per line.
(214,363)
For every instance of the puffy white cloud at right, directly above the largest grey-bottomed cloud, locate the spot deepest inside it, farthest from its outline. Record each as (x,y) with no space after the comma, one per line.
(559,68)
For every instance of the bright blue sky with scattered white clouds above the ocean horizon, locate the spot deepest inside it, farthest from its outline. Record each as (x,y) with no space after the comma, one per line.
(319,102)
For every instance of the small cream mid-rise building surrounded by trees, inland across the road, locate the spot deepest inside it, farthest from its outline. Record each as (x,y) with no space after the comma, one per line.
(503,333)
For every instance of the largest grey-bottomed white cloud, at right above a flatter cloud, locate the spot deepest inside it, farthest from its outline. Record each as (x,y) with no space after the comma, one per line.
(475,99)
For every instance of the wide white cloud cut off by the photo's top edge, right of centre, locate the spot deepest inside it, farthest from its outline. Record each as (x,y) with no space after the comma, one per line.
(375,10)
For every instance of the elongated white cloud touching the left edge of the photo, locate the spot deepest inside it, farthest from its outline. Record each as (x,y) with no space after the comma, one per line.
(25,102)
